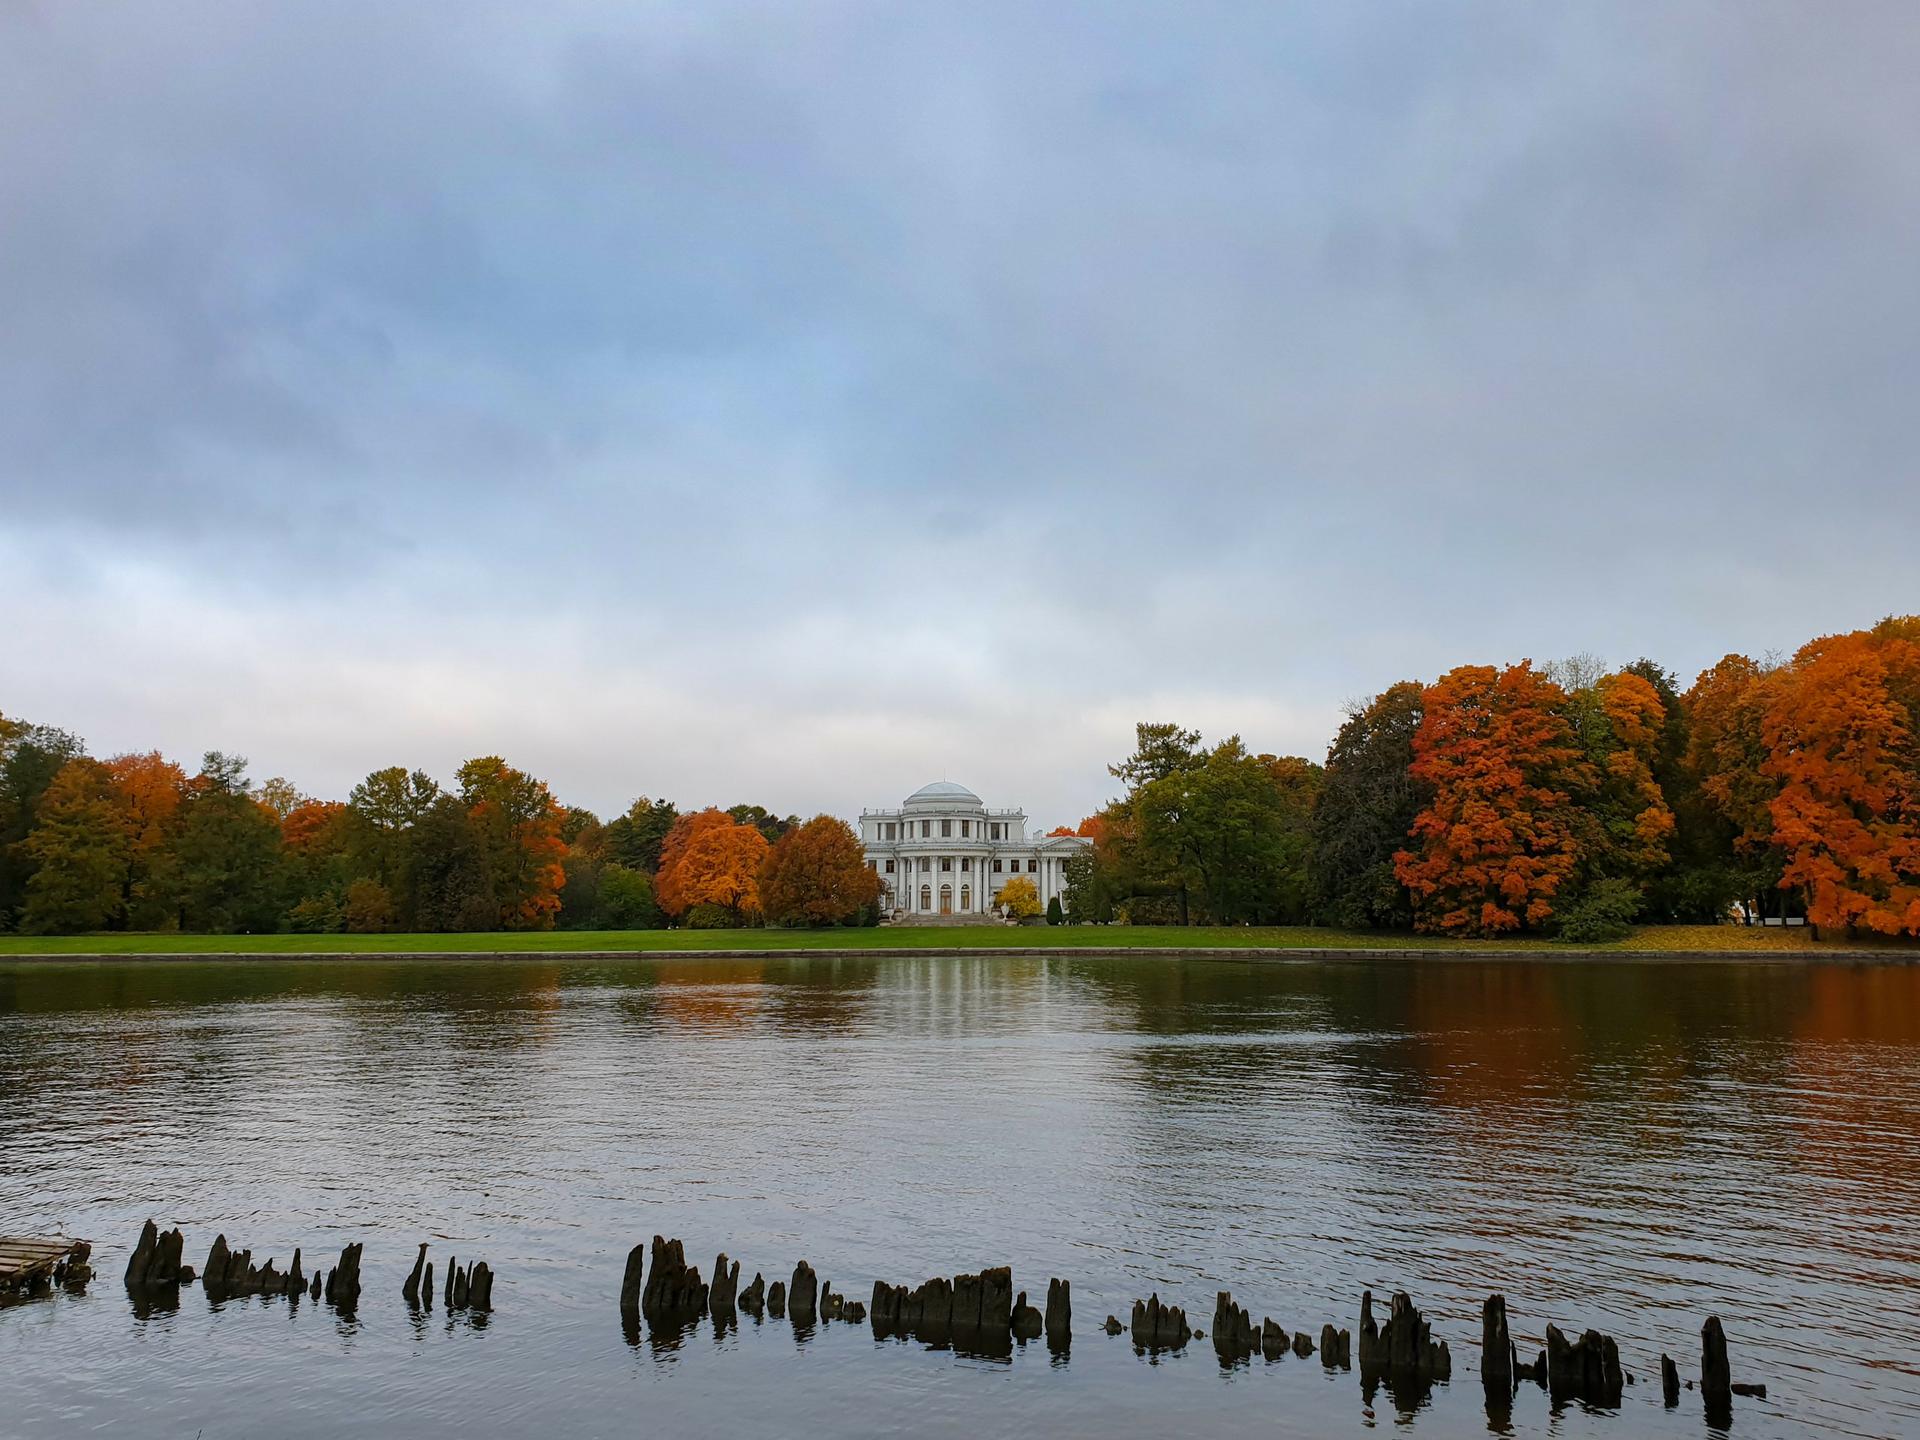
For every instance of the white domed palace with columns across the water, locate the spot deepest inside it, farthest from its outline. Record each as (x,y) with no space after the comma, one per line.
(946,853)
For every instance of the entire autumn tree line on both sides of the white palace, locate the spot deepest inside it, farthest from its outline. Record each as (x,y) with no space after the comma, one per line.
(1568,800)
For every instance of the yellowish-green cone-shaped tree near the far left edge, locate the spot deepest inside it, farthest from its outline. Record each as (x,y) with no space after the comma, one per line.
(78,852)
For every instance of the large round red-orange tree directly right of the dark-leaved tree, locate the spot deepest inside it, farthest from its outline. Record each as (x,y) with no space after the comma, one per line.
(1497,840)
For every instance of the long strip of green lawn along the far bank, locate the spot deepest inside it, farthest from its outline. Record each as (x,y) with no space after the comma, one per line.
(930,938)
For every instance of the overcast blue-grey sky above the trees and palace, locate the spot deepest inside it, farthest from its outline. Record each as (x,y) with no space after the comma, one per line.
(802,402)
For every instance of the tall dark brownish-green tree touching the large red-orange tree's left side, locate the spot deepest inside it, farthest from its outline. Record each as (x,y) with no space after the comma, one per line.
(1366,809)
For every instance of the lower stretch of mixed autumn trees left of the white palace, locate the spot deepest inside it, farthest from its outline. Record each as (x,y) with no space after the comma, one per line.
(137,844)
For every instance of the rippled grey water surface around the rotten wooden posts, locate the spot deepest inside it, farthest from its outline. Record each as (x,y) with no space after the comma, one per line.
(1610,1145)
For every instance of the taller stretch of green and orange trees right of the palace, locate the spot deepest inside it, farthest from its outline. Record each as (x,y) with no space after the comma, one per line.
(1570,802)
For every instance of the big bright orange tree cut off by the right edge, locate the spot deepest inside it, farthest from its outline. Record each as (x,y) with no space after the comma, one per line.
(1844,746)
